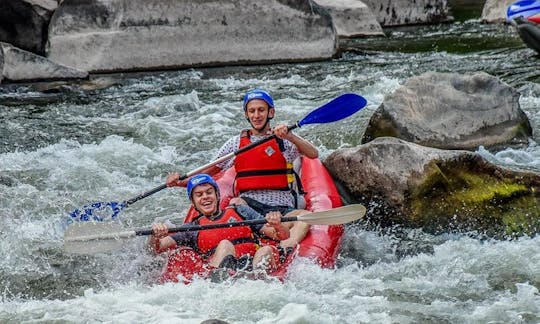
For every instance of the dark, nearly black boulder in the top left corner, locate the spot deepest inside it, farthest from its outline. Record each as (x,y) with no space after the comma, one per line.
(24,23)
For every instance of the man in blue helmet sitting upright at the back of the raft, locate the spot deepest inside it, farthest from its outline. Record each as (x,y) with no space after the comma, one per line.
(264,173)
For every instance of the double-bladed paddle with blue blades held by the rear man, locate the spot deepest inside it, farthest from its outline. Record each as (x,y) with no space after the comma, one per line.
(336,109)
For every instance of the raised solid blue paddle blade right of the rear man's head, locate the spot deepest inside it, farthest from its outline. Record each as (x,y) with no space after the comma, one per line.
(337,109)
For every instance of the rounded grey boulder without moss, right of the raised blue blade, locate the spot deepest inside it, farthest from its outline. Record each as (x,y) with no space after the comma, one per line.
(452,111)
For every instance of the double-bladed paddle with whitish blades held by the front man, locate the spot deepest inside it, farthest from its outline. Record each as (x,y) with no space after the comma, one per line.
(95,237)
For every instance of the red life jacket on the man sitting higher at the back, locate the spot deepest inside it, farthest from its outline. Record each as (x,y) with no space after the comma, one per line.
(262,167)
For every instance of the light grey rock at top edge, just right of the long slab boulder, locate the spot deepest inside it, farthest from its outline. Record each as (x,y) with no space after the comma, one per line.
(352,18)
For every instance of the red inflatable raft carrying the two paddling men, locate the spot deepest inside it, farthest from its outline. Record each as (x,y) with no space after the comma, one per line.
(321,244)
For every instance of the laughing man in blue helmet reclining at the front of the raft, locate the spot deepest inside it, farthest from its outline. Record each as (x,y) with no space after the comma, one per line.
(223,247)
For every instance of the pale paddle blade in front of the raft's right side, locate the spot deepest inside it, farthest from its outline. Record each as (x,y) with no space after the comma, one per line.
(336,216)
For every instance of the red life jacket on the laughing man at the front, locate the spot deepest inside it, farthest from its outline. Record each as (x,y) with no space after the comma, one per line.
(241,236)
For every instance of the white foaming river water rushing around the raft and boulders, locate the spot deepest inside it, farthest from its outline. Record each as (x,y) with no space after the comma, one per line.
(68,147)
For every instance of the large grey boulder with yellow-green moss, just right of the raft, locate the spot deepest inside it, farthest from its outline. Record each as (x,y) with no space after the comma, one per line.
(439,190)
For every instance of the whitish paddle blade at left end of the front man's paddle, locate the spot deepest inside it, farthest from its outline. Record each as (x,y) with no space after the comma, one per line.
(95,237)
